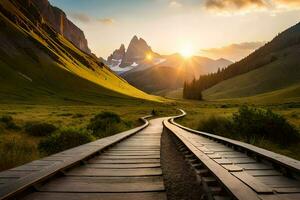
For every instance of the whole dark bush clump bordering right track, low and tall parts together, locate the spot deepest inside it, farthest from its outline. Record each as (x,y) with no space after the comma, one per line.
(252,125)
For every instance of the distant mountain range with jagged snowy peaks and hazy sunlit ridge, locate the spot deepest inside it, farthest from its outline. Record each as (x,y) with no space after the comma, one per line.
(140,61)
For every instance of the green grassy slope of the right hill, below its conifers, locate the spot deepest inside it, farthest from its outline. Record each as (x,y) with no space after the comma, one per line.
(277,81)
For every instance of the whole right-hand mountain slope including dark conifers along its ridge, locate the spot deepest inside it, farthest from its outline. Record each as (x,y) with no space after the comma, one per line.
(272,72)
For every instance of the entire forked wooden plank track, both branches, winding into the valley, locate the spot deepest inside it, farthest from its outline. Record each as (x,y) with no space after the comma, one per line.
(127,166)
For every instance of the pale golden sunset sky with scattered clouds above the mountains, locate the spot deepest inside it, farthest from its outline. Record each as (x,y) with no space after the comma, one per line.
(214,28)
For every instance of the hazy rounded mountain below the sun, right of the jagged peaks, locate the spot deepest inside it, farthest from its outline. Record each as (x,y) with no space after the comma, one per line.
(177,70)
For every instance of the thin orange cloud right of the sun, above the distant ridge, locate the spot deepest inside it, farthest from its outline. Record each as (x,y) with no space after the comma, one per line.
(233,52)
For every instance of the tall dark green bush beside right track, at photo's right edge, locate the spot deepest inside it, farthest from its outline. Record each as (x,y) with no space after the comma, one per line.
(254,123)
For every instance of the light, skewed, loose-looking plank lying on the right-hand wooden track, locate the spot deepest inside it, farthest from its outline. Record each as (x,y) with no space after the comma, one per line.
(253,182)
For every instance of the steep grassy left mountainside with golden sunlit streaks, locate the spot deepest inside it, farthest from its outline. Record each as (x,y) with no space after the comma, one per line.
(39,64)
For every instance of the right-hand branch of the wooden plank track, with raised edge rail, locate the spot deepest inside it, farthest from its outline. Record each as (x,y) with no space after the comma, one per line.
(229,169)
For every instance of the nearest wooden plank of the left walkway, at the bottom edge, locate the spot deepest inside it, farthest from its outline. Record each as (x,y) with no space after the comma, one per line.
(96,196)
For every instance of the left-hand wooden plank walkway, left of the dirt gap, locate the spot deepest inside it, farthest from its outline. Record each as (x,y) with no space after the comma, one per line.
(129,169)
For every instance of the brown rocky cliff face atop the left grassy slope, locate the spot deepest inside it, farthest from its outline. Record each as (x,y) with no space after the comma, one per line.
(59,21)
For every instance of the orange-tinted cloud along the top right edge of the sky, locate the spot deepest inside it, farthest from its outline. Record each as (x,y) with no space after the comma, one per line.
(242,6)
